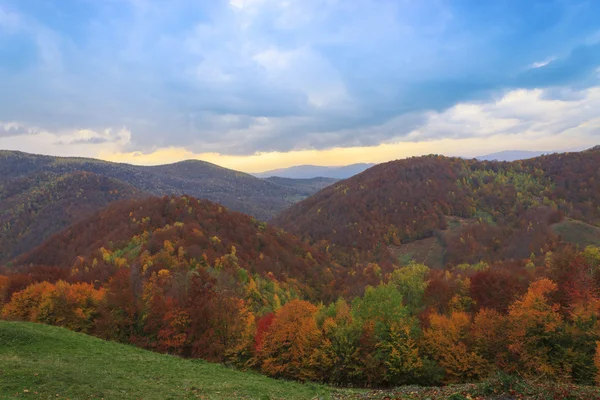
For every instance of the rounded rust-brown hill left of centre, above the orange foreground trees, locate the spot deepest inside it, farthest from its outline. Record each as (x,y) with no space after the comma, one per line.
(182,233)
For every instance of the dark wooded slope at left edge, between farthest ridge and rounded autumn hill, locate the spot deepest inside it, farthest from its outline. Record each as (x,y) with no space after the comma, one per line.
(37,205)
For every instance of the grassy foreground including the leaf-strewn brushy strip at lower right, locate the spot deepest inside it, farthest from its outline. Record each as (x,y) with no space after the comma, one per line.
(44,362)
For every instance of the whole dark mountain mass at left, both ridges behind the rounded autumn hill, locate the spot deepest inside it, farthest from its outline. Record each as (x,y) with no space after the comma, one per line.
(39,195)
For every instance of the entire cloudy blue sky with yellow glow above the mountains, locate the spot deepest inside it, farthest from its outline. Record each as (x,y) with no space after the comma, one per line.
(261,84)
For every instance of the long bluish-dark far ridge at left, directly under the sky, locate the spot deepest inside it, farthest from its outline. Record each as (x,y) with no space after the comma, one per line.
(234,189)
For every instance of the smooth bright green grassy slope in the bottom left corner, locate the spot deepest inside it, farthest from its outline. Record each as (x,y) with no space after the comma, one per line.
(55,363)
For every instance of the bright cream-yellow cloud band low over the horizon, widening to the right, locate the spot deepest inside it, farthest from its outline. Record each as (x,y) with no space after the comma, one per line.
(521,119)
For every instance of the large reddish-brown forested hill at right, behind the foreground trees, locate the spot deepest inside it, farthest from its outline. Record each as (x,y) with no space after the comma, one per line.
(477,210)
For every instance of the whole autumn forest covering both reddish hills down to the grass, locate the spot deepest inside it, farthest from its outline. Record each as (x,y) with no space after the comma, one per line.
(188,277)
